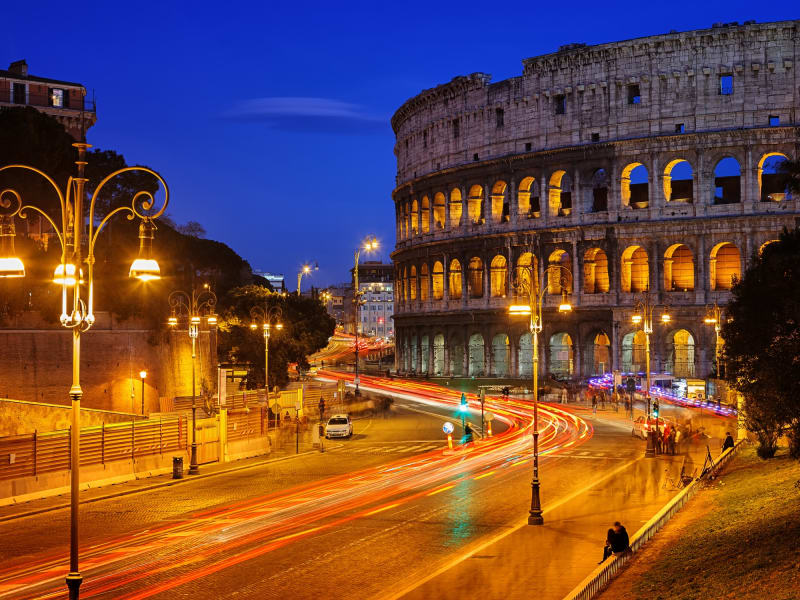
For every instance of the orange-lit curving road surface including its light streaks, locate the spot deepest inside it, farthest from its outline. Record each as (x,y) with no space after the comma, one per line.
(361,520)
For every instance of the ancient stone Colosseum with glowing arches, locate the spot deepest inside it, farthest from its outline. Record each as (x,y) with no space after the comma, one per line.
(650,164)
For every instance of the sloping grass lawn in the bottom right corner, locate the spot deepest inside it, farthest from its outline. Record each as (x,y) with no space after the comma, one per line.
(739,539)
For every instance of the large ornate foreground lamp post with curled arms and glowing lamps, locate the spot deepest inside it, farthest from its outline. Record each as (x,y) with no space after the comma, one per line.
(77,294)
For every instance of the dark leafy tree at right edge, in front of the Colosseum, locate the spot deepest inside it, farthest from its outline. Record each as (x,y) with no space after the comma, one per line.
(762,340)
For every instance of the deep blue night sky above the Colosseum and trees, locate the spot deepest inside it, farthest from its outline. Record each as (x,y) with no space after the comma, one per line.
(206,94)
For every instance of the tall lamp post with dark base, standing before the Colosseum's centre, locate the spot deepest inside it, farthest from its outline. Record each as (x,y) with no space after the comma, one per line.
(531,287)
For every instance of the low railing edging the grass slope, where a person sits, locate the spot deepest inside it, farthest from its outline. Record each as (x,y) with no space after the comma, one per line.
(602,575)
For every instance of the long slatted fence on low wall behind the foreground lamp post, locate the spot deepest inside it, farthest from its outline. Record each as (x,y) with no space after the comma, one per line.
(38,453)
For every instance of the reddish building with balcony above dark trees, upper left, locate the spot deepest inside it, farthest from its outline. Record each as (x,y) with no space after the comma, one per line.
(63,100)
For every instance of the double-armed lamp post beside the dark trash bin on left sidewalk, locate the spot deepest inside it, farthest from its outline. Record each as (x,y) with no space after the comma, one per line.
(193,306)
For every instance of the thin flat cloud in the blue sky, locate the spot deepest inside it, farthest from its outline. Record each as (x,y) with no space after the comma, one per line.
(313,115)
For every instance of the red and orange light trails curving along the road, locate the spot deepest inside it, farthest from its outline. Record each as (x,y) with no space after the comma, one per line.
(211,540)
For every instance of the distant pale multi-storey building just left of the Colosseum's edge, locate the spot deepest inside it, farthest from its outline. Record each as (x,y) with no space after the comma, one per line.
(375,280)
